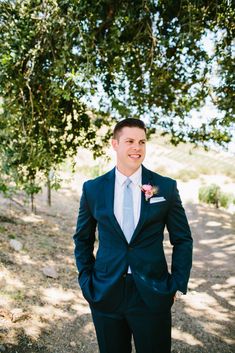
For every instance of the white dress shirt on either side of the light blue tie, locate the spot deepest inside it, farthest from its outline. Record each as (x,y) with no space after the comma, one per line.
(120,179)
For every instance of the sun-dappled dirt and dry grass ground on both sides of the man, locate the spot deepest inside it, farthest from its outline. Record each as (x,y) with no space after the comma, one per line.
(55,318)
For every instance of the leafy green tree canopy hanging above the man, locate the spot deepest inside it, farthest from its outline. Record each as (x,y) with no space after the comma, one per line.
(70,67)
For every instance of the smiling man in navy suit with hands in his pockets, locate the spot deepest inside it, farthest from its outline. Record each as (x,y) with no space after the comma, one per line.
(127,282)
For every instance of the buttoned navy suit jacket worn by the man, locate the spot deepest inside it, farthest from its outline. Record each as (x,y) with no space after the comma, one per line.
(101,276)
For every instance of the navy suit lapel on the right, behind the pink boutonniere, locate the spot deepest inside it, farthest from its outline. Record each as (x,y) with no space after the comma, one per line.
(146,179)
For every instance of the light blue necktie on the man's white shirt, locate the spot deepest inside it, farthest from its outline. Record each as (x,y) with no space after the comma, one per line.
(128,225)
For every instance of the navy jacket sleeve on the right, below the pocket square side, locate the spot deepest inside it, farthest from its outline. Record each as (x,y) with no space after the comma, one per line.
(180,238)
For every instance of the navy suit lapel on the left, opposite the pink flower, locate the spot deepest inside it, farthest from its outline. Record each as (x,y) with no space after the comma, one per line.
(109,201)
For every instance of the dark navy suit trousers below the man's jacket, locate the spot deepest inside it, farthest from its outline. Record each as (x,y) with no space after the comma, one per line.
(151,331)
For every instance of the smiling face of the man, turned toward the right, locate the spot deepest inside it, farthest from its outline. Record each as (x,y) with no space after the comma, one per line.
(130,149)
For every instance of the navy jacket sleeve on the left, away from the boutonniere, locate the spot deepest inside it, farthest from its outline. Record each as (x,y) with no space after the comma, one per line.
(84,238)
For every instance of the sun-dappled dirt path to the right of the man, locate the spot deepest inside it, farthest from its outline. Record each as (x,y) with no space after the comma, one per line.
(204,319)
